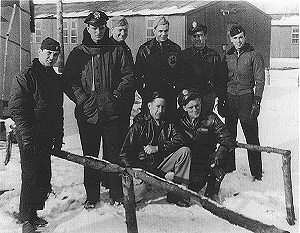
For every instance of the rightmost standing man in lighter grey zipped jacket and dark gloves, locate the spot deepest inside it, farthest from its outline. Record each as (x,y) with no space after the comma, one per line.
(245,85)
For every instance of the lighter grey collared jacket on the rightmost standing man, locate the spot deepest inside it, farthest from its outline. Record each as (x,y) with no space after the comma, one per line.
(244,72)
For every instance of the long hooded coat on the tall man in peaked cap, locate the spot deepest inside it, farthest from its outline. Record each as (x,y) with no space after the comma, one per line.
(100,76)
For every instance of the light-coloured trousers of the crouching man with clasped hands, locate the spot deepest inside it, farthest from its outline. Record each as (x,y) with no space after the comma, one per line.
(178,162)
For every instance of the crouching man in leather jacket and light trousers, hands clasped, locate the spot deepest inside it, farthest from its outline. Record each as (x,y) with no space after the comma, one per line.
(156,146)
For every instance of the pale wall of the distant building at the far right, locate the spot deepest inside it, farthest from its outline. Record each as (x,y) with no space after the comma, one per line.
(281,45)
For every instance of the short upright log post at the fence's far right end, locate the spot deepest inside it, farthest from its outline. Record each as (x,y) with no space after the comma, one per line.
(286,168)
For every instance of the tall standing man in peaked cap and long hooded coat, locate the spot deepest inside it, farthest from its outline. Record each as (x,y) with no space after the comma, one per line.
(100,74)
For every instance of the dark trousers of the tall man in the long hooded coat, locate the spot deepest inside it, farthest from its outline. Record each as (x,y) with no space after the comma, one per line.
(90,136)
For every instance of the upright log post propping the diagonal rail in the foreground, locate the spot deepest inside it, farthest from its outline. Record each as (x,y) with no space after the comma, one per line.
(129,203)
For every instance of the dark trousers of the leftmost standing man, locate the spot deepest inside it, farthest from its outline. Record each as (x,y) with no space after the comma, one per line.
(36,176)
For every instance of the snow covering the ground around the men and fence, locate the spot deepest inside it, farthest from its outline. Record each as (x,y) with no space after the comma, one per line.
(263,201)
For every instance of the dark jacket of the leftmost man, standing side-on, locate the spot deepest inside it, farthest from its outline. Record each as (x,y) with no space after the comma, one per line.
(36,103)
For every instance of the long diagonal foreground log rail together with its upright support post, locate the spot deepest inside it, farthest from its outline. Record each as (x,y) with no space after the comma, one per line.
(129,200)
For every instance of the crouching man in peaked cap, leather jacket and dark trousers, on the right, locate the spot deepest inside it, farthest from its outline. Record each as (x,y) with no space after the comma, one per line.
(202,132)
